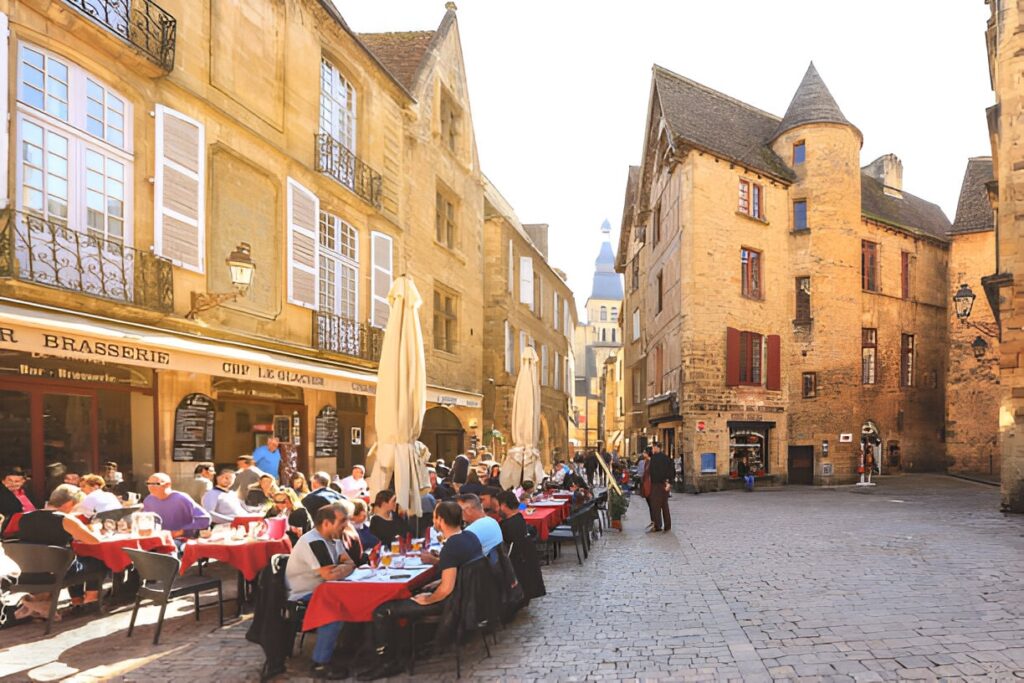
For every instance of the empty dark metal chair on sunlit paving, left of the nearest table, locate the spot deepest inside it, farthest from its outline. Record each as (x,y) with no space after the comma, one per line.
(160,583)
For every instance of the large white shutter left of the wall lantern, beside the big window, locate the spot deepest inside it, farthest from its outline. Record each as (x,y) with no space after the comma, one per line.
(180,231)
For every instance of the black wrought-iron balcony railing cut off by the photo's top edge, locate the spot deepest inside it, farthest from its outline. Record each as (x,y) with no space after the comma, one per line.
(142,23)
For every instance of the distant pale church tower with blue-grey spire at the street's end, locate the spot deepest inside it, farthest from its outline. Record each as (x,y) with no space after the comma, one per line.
(595,341)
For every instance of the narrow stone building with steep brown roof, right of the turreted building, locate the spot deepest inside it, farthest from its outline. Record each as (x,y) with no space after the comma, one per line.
(973,376)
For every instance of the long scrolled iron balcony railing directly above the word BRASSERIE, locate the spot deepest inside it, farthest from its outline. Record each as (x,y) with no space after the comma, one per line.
(51,253)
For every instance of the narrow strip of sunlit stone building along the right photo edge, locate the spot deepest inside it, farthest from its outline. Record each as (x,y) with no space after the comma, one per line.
(1005,287)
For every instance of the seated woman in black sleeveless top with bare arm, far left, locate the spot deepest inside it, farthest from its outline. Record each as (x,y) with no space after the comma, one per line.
(57,527)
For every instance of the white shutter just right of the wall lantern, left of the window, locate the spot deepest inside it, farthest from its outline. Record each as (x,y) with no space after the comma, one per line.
(304,245)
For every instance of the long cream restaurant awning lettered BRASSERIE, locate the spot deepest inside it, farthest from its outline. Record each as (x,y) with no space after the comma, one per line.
(65,334)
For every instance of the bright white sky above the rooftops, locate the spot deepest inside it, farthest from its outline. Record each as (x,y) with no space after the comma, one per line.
(560,89)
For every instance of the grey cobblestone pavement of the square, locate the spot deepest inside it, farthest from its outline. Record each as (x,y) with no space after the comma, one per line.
(919,579)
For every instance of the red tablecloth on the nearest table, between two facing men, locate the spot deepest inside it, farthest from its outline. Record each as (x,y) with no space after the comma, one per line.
(356,601)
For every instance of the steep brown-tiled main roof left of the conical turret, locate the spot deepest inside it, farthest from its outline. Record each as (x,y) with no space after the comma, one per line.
(712,121)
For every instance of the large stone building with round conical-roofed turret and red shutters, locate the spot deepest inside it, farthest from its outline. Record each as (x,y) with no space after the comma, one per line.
(794,310)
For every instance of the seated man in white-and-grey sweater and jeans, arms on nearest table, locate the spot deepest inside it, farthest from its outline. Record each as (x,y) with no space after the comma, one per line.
(320,557)
